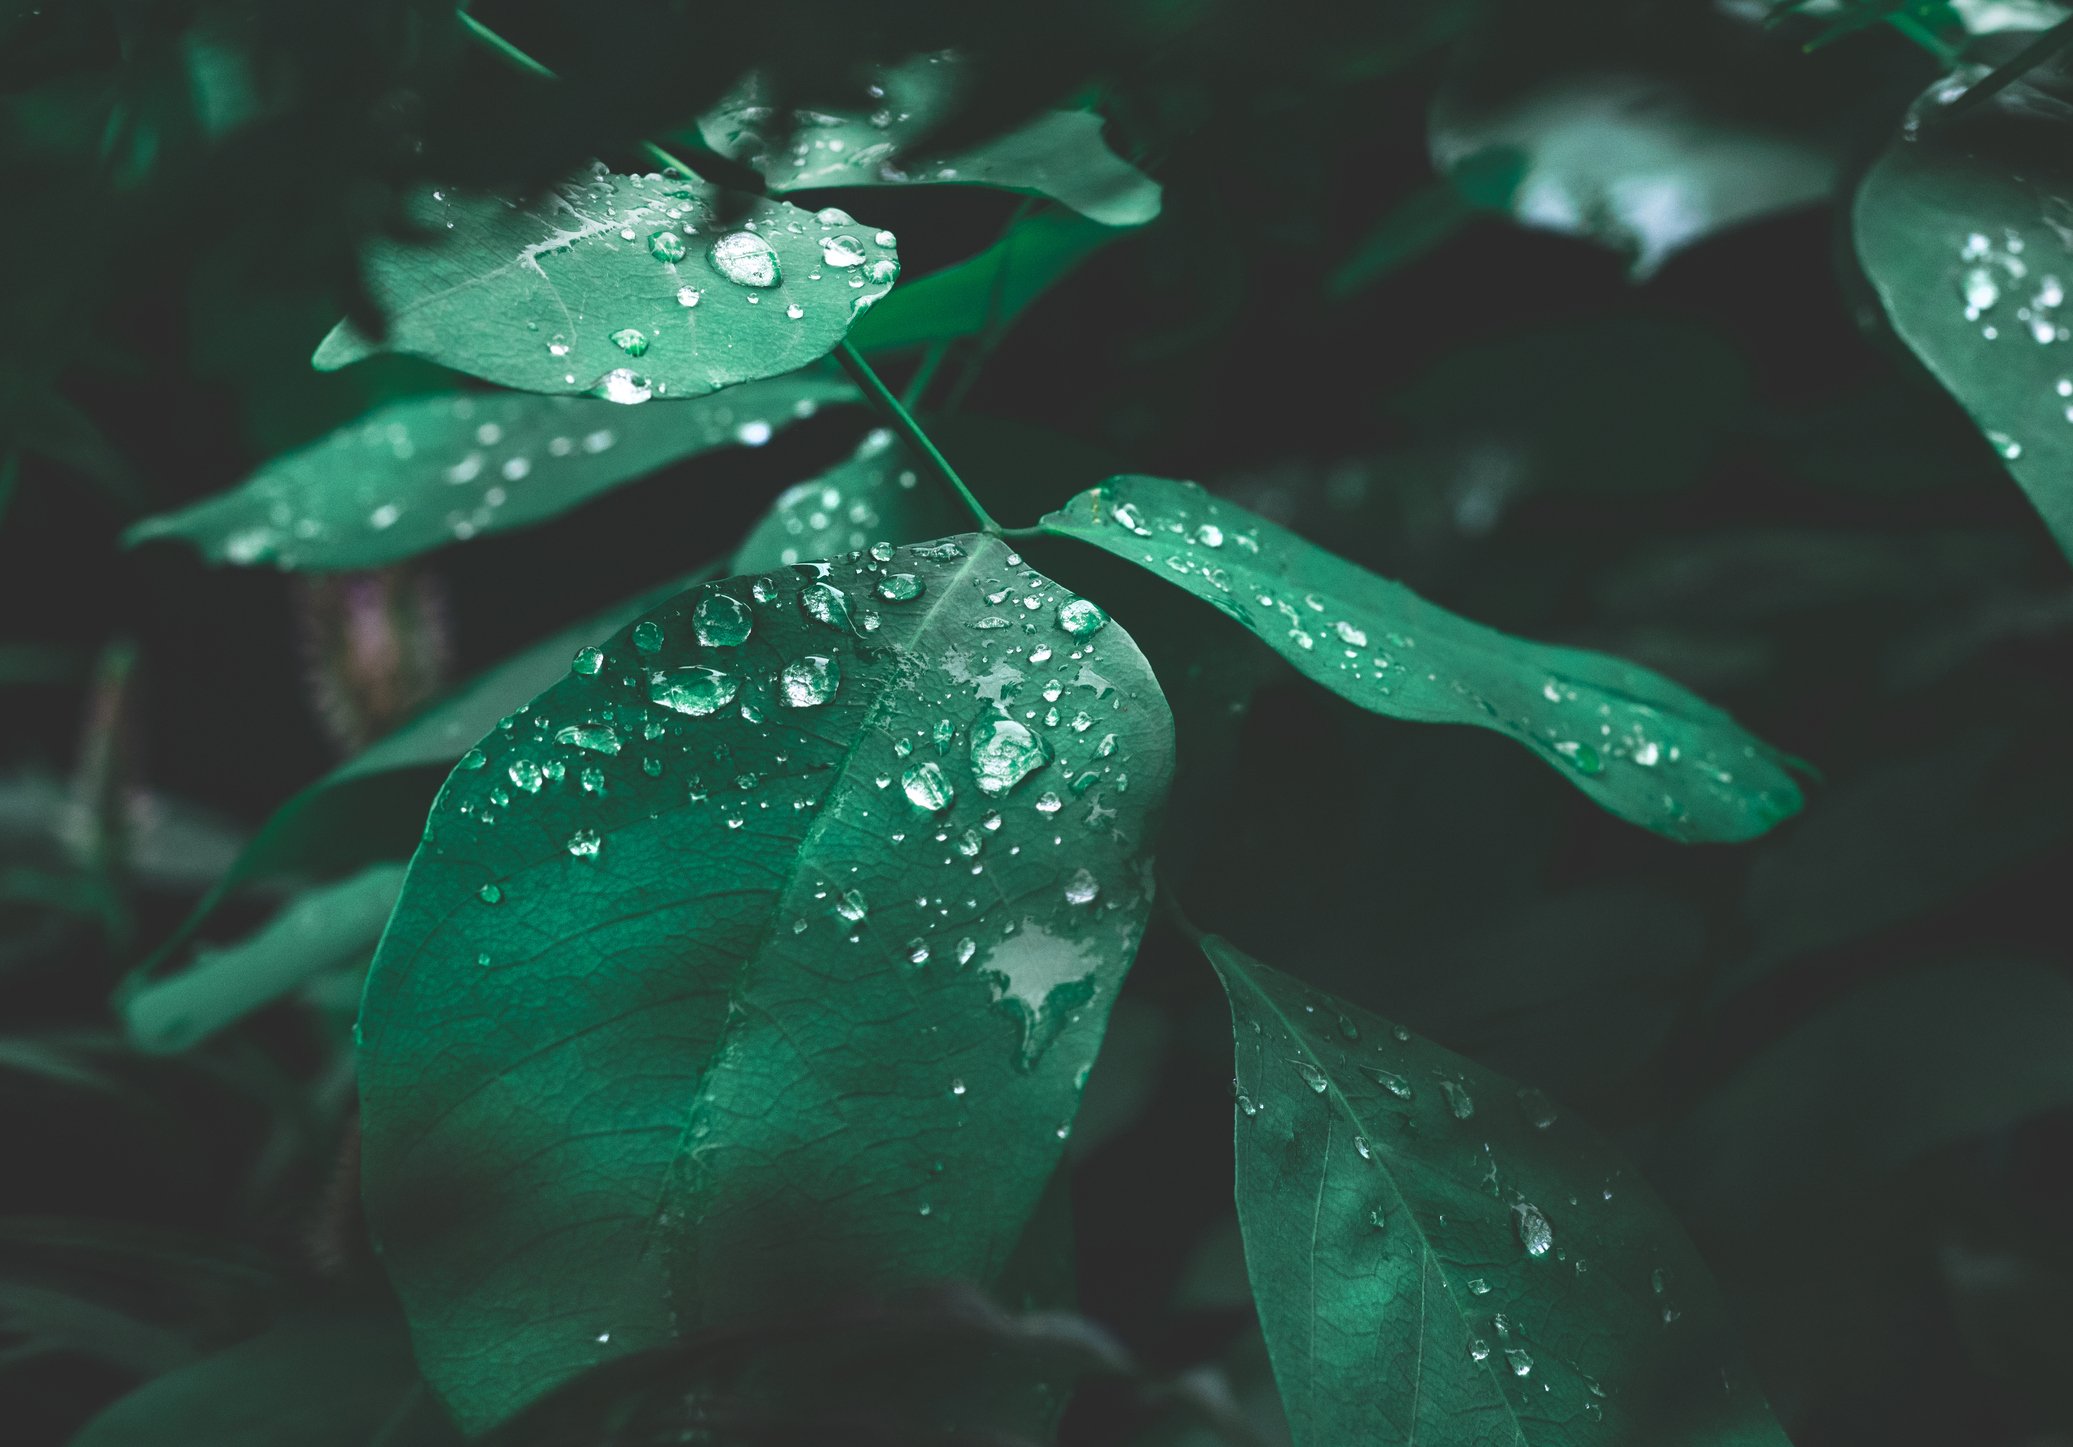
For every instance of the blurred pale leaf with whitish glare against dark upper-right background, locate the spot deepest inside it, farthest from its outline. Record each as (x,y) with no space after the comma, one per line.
(1639,140)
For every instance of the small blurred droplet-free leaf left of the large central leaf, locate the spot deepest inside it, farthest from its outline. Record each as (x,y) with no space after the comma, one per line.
(316,932)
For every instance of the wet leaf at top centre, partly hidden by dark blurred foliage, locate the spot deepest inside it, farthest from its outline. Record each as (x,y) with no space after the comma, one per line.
(1060,154)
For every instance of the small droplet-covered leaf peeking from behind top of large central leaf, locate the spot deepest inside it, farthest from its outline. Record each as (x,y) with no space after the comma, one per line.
(872,496)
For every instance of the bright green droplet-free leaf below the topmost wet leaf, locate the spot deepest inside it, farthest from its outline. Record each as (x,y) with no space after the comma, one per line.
(986,293)
